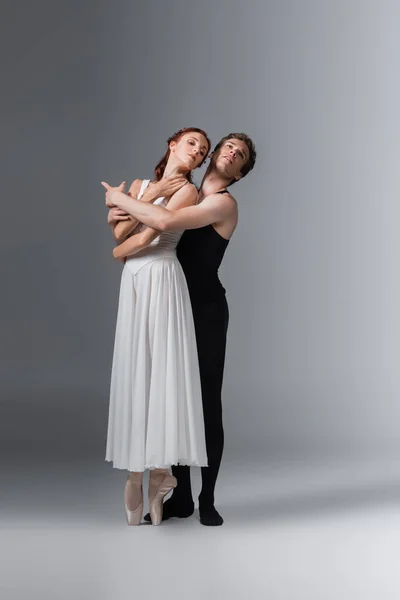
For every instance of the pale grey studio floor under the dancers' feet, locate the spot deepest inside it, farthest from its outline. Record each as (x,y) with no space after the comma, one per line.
(320,531)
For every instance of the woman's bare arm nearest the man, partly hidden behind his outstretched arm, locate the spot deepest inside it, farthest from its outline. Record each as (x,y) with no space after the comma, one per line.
(185,197)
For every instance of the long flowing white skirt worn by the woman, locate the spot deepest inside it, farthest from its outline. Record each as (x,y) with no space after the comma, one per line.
(155,415)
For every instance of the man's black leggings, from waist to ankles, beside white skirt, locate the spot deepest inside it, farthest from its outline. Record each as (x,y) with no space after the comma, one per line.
(211,324)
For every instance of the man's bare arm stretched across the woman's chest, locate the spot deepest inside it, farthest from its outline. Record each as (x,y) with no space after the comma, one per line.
(215,208)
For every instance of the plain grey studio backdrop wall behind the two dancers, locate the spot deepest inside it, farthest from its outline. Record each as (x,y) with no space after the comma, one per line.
(91,90)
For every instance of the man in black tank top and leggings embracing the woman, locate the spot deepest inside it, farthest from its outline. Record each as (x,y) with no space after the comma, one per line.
(209,225)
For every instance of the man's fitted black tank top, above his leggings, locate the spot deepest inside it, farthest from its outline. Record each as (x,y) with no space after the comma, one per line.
(200,252)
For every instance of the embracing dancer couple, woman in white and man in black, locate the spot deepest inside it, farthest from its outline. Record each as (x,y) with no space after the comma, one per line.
(169,353)
